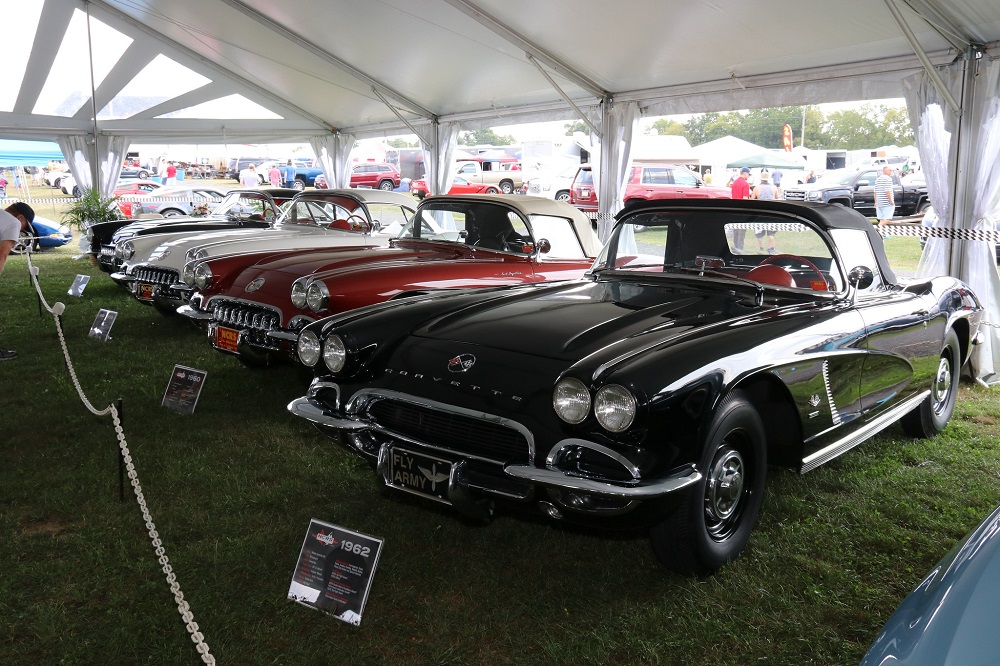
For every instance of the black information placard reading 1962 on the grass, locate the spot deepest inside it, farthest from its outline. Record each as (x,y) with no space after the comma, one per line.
(335,570)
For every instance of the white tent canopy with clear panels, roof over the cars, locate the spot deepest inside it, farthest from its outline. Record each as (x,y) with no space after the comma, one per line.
(96,76)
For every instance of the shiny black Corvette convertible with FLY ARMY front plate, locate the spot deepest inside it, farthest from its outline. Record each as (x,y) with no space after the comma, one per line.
(655,391)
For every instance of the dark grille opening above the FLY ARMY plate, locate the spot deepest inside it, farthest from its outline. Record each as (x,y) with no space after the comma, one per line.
(464,435)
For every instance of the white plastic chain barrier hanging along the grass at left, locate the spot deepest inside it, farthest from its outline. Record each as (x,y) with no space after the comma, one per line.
(182,605)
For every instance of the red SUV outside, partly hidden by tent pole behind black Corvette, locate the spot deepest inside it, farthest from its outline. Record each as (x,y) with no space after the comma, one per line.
(648,181)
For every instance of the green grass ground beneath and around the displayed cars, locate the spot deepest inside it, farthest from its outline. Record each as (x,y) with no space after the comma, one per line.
(233,486)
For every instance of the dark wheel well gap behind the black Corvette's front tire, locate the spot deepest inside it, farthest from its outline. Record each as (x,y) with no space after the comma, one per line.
(782,428)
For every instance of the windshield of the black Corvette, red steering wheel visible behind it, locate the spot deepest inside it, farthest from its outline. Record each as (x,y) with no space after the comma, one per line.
(766,248)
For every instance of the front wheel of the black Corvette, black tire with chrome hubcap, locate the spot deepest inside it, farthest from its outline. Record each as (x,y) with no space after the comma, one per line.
(712,525)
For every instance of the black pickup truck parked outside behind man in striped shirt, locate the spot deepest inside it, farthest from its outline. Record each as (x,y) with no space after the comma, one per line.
(856,189)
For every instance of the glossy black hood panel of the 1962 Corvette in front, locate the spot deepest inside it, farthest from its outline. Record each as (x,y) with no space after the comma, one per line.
(580,318)
